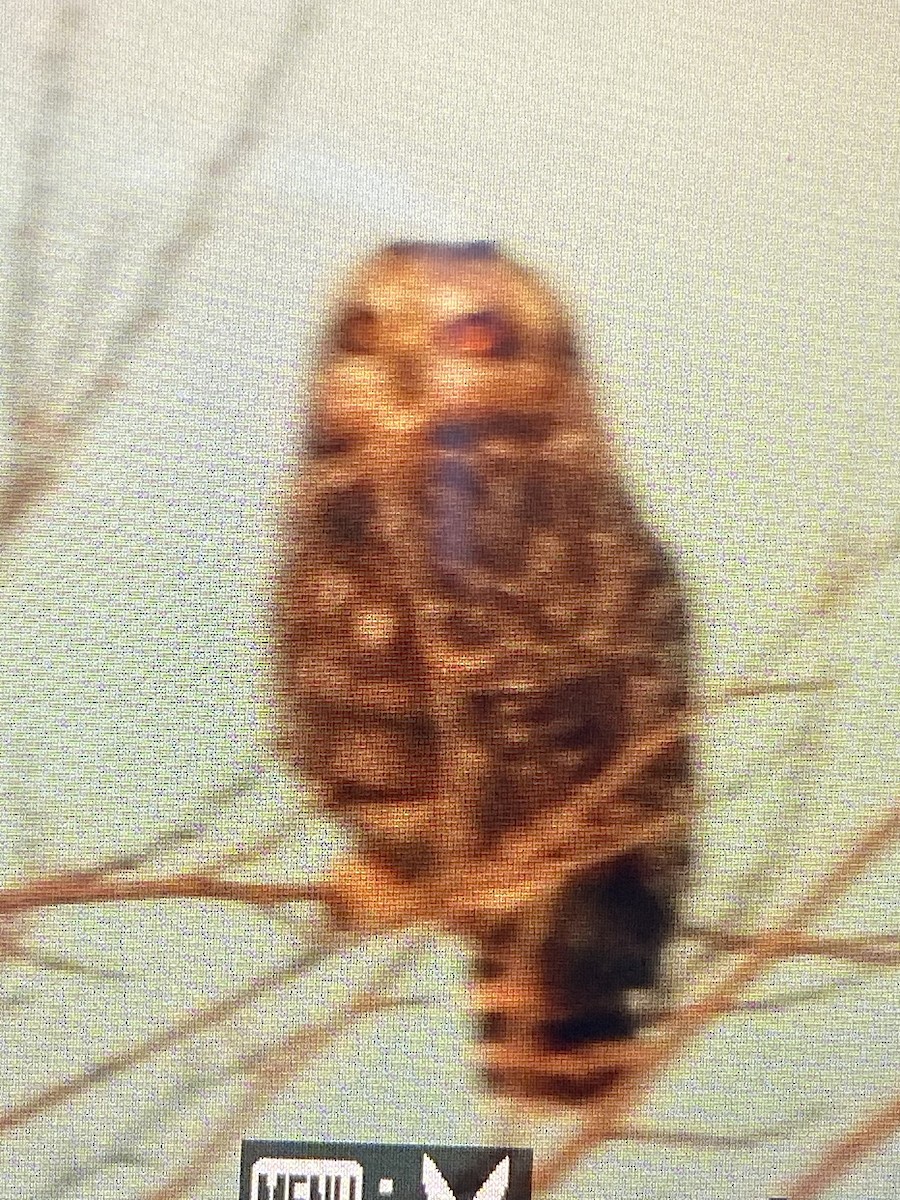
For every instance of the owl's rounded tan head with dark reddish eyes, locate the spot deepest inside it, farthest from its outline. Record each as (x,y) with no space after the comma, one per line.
(428,334)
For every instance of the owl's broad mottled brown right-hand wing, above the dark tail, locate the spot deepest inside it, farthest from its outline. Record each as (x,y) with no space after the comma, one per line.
(579,620)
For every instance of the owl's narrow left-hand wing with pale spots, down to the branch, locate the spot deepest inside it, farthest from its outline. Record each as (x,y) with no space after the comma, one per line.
(352,692)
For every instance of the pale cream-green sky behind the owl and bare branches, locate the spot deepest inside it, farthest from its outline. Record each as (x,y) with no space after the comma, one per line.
(715,189)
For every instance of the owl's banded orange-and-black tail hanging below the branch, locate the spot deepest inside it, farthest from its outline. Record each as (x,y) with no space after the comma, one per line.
(563,988)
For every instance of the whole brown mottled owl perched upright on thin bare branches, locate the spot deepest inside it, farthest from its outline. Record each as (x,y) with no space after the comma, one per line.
(482,659)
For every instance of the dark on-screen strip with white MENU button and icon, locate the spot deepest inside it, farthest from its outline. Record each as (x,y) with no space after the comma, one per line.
(313,1171)
